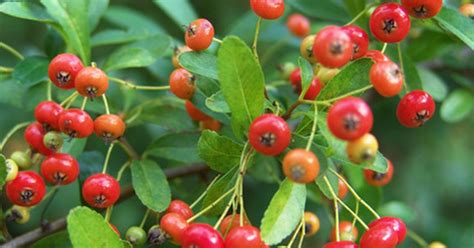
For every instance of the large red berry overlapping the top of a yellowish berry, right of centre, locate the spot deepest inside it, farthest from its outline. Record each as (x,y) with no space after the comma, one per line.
(350,118)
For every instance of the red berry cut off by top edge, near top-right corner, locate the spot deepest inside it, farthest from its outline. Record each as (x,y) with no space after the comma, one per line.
(423,8)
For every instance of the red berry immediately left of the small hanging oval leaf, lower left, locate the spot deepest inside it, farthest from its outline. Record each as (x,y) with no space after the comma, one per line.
(101,190)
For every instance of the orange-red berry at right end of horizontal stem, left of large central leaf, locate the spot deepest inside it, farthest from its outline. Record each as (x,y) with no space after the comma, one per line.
(182,84)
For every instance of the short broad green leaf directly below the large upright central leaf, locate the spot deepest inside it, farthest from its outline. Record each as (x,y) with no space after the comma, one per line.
(219,152)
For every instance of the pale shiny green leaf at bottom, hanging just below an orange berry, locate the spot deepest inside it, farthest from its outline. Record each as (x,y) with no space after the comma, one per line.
(284,212)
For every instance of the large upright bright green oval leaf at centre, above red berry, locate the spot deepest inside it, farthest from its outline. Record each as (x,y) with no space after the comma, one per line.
(242,83)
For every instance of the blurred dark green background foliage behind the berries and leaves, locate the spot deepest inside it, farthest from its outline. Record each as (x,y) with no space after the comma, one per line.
(432,186)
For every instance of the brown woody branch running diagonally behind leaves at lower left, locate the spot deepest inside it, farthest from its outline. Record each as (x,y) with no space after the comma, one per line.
(60,224)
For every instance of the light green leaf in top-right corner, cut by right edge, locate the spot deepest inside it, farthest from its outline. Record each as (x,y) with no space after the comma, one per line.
(458,24)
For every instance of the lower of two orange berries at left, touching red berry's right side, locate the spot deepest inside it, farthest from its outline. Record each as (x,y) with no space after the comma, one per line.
(109,127)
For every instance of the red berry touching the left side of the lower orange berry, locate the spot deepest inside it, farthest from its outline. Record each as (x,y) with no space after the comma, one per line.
(76,123)
